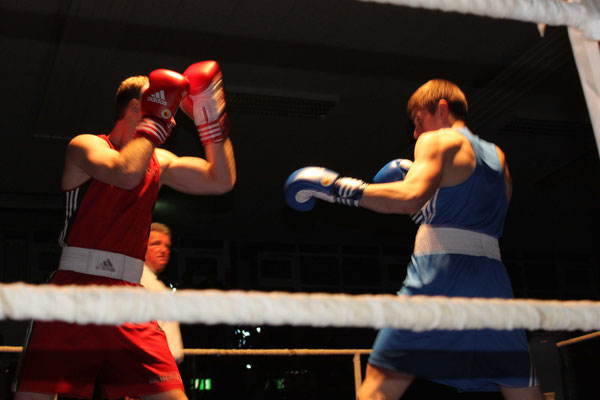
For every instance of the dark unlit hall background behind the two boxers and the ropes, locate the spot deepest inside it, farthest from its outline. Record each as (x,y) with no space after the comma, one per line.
(307,83)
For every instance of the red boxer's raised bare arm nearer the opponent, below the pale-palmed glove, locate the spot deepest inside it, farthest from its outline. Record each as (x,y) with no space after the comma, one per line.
(194,175)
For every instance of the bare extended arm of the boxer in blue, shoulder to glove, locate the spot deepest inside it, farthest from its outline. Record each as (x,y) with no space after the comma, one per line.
(420,183)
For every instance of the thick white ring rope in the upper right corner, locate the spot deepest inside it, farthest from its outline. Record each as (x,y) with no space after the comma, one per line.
(581,16)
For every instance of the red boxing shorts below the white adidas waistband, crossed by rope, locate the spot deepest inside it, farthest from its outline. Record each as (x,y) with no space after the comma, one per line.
(67,359)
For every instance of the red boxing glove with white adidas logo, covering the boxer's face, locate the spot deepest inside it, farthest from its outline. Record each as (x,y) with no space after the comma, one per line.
(159,104)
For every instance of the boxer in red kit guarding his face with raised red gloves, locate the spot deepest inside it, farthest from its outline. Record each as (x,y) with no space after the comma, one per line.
(111,183)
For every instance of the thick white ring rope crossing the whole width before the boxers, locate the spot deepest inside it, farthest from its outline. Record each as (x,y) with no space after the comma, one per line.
(116,305)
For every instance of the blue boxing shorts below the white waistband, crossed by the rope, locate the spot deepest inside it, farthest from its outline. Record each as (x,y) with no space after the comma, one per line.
(469,360)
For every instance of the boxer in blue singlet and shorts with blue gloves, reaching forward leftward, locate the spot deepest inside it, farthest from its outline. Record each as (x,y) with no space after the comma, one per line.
(457,190)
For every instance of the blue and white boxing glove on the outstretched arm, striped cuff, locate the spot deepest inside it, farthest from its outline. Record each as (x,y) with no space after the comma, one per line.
(306,184)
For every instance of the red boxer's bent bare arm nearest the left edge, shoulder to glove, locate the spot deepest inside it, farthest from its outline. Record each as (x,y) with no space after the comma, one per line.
(90,156)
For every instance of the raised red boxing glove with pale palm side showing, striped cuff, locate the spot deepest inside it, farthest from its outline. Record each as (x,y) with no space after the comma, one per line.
(206,101)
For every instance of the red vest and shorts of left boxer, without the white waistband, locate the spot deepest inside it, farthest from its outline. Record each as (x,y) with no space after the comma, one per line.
(128,360)
